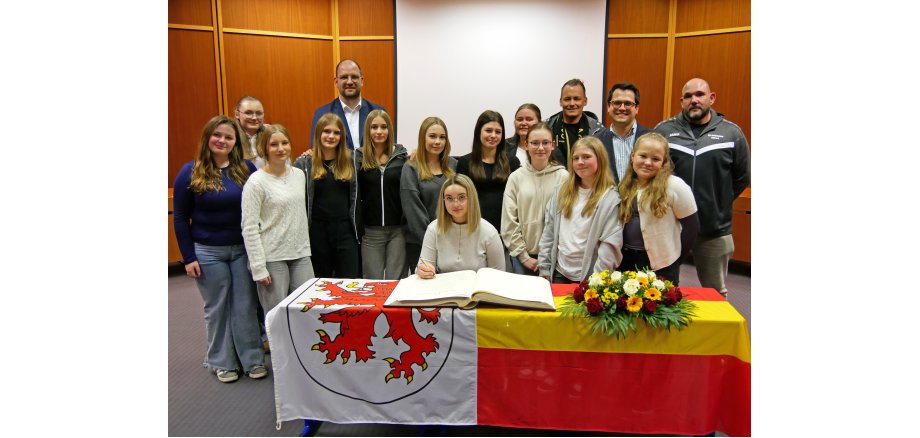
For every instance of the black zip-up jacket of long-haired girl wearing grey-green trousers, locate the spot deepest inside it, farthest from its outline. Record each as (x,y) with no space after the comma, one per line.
(379,193)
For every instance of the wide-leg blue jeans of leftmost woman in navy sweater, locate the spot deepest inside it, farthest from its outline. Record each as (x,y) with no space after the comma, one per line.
(229,297)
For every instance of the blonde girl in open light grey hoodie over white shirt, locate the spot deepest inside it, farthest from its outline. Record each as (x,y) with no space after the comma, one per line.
(581,233)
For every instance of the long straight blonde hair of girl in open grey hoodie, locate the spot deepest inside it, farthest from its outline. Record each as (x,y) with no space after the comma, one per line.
(603,180)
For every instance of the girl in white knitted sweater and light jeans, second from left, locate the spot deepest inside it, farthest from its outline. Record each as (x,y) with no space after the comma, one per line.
(275,226)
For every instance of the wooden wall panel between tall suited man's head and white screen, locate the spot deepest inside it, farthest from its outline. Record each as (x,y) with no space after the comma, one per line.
(377,65)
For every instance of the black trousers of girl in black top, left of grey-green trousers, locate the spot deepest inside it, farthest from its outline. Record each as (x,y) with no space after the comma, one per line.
(335,250)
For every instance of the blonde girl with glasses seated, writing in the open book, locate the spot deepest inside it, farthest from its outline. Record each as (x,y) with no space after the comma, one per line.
(459,239)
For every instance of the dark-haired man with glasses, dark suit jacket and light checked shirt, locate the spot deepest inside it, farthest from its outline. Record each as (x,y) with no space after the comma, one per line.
(622,106)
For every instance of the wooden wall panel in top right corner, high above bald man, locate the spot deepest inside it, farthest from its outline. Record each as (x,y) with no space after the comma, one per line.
(695,15)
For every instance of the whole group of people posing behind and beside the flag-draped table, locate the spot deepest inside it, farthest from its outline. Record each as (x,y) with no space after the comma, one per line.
(559,198)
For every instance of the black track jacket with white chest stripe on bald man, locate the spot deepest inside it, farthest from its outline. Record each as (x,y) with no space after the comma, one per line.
(716,165)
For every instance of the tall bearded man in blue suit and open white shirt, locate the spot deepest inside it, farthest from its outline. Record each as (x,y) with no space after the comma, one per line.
(349,106)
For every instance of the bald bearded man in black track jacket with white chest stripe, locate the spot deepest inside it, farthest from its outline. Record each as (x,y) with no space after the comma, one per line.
(711,155)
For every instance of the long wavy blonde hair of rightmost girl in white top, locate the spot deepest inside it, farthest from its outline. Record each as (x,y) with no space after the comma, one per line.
(655,196)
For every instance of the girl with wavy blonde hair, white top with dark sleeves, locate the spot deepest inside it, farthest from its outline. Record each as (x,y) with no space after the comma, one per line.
(664,206)
